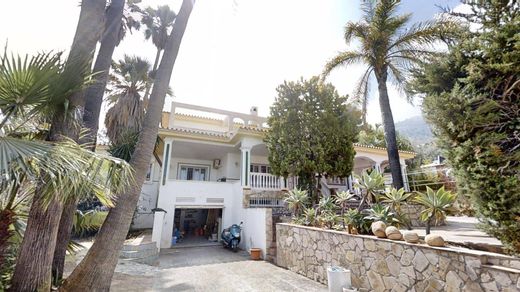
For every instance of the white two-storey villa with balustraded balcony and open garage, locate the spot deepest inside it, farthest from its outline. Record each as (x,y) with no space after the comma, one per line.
(212,171)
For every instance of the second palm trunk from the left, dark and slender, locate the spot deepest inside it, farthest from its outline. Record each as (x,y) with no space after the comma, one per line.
(93,100)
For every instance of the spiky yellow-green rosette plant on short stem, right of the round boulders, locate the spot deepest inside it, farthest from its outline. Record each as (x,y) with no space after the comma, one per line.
(436,204)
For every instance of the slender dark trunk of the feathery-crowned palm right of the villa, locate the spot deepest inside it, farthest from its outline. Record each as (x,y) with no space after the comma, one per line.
(390,135)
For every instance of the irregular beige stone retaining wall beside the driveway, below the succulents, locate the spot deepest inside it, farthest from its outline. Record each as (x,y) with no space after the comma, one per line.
(385,265)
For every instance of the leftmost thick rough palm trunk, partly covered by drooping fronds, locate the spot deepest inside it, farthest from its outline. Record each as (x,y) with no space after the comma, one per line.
(40,236)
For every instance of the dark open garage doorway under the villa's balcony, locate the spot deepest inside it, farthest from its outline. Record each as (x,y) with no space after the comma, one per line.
(196,227)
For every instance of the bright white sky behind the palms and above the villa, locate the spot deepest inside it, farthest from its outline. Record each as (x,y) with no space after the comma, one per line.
(235,52)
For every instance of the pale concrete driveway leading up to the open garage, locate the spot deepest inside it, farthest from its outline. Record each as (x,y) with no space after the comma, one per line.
(212,269)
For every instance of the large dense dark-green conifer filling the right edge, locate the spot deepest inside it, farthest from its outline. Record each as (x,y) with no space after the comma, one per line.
(472,98)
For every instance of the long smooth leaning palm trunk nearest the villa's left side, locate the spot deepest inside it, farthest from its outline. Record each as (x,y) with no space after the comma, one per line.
(95,272)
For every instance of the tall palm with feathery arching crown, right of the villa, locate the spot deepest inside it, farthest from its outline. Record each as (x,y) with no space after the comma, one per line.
(389,49)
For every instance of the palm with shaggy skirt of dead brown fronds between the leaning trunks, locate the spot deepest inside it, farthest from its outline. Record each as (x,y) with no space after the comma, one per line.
(126,115)
